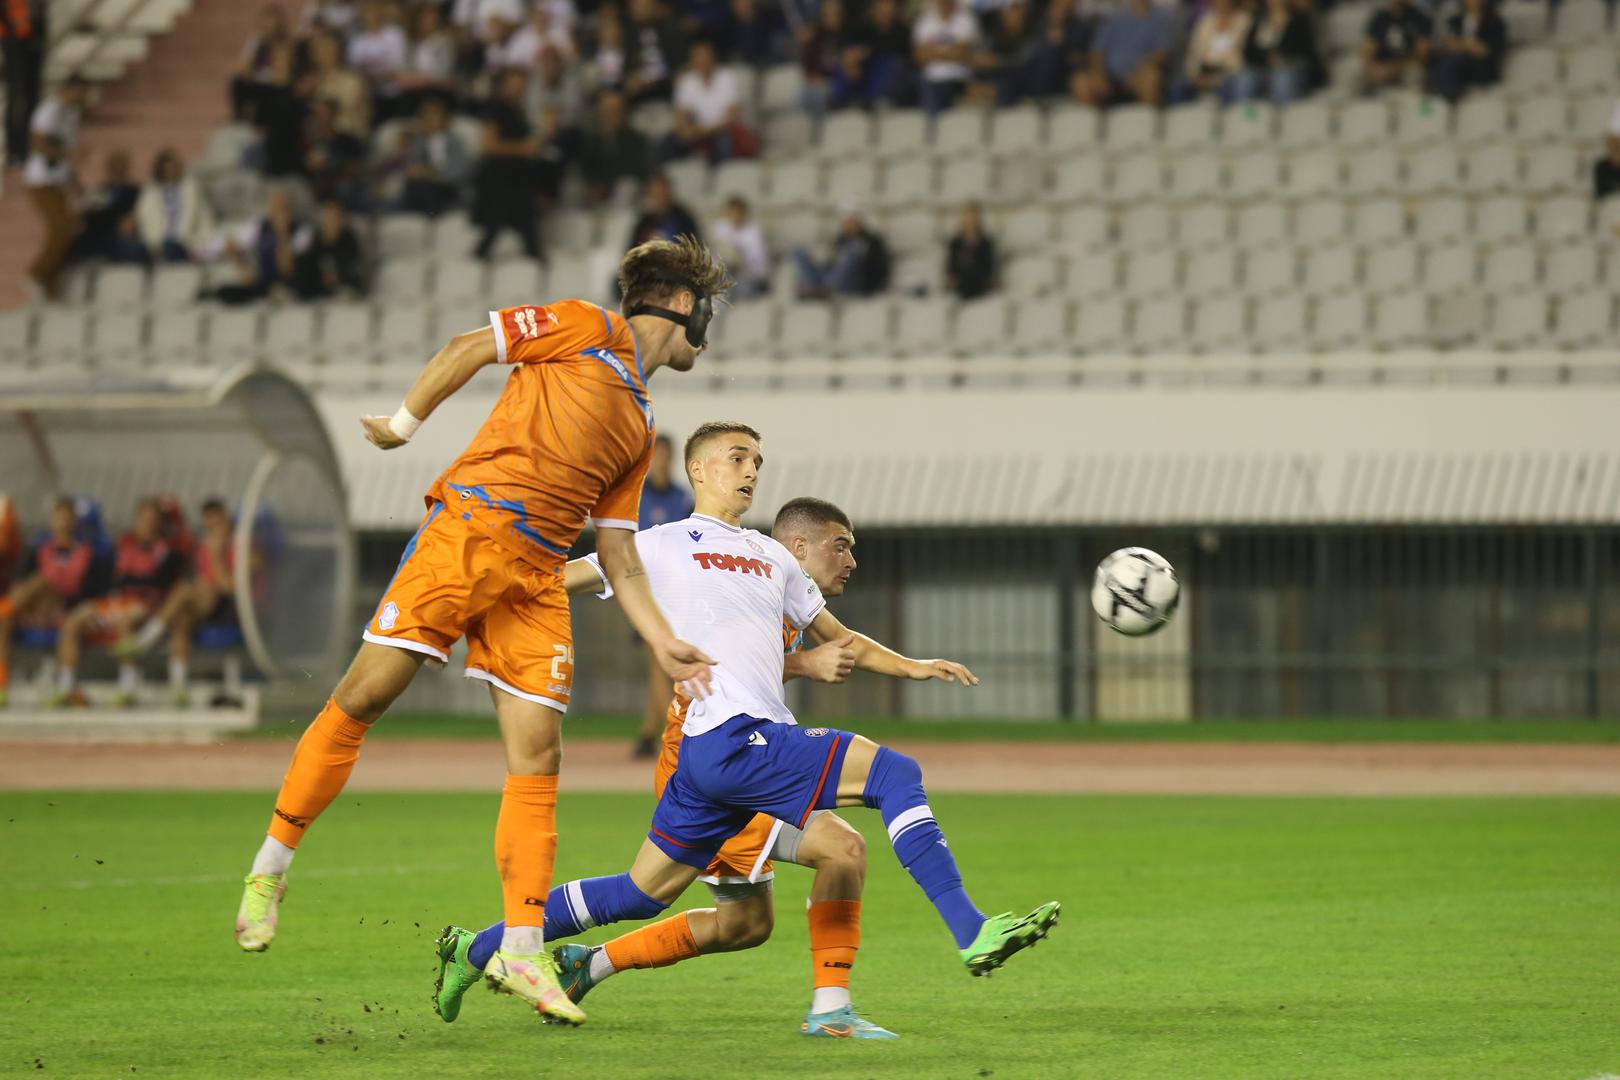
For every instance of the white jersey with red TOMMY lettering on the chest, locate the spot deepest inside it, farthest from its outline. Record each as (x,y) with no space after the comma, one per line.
(728,590)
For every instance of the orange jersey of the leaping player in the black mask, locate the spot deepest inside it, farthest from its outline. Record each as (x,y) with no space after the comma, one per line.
(569,440)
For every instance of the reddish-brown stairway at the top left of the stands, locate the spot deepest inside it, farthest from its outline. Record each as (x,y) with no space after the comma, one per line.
(174,98)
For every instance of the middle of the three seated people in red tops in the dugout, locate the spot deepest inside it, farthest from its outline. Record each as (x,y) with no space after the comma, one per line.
(145,569)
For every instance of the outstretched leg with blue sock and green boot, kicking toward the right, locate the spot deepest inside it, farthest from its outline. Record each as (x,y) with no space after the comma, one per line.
(892,783)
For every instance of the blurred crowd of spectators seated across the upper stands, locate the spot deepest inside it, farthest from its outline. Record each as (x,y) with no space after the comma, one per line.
(497,106)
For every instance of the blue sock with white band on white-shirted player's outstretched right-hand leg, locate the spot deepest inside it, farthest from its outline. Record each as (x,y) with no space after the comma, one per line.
(895,789)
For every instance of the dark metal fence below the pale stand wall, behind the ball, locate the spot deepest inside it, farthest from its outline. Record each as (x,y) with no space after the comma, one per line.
(1439,623)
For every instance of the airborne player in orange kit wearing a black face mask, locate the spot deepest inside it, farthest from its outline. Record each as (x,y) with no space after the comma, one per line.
(569,440)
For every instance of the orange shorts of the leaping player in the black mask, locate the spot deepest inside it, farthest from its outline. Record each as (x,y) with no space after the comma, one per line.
(454,582)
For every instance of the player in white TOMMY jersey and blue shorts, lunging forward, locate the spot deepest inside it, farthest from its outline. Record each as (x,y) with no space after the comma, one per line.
(730,590)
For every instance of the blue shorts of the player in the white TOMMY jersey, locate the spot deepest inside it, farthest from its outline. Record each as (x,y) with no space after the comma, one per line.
(743,768)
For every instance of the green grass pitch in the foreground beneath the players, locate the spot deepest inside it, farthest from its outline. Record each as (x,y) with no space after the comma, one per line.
(1203,938)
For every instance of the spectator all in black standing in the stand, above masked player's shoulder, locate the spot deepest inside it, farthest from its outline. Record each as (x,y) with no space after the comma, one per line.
(505,187)
